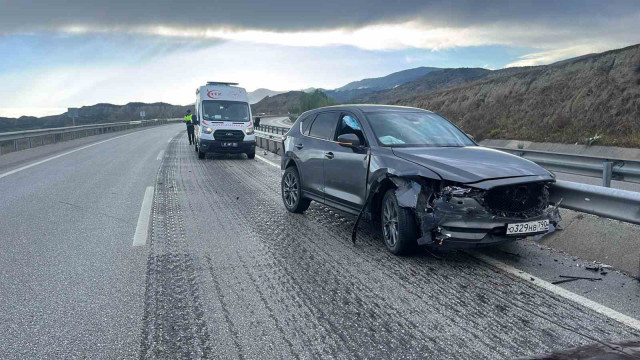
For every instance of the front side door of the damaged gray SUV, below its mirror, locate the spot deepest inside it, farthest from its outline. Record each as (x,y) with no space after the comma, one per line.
(345,168)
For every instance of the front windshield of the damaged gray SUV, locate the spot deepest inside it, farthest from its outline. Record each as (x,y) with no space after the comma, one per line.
(408,129)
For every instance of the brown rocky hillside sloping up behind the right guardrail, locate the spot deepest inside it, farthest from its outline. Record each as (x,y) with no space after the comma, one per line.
(593,97)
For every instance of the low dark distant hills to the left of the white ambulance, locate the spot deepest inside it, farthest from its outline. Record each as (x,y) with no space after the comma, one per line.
(95,114)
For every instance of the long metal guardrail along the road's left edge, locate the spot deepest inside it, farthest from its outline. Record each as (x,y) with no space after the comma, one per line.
(21,140)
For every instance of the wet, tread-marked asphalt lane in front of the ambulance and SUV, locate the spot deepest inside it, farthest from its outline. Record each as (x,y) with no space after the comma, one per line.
(232,274)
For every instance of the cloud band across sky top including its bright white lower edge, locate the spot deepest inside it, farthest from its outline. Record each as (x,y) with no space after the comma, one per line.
(367,24)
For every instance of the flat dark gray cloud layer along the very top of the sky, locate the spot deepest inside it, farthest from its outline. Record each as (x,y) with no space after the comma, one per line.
(295,15)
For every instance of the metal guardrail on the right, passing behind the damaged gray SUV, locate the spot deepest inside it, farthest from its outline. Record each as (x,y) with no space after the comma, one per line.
(602,201)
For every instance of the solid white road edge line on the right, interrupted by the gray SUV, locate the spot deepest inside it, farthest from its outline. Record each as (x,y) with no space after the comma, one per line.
(599,308)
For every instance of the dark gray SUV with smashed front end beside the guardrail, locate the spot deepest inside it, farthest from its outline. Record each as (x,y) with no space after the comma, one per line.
(424,180)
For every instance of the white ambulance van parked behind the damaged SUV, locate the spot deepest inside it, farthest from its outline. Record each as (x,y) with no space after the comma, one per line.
(223,122)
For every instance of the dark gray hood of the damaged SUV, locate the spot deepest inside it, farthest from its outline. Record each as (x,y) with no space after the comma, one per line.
(470,164)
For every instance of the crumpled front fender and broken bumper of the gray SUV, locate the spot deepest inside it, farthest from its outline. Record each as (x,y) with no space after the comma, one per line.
(448,221)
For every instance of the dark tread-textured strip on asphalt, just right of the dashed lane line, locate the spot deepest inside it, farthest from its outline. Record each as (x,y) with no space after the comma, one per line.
(174,325)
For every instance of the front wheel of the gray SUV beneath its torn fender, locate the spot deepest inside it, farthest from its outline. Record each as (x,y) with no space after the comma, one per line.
(399,231)
